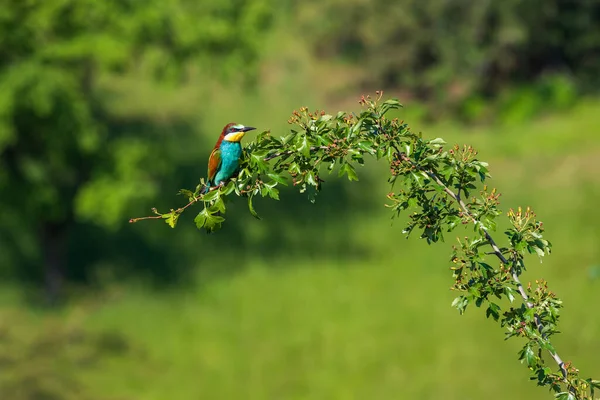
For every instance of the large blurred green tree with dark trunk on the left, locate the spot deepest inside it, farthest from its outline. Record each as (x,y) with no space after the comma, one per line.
(89,92)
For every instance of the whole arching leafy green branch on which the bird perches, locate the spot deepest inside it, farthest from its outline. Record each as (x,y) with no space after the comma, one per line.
(438,187)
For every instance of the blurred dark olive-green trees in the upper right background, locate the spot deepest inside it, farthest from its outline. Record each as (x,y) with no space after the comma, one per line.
(448,50)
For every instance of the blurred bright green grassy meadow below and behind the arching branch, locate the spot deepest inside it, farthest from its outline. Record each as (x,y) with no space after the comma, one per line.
(365,313)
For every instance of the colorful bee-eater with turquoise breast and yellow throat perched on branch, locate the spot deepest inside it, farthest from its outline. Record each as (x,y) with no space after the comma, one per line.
(225,157)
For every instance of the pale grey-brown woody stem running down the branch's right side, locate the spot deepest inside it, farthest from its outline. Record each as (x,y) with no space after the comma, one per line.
(496,251)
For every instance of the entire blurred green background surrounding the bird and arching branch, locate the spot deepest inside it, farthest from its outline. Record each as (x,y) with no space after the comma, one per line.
(108,108)
